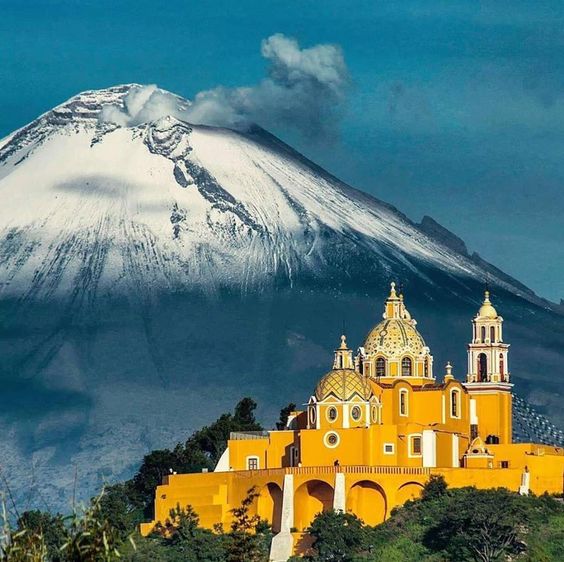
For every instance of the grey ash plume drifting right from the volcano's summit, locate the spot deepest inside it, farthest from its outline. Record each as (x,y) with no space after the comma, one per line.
(304,90)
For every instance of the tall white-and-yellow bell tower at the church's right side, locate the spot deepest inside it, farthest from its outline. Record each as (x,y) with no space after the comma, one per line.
(487,380)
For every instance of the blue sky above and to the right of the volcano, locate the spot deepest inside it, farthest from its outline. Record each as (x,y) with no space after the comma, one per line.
(455,109)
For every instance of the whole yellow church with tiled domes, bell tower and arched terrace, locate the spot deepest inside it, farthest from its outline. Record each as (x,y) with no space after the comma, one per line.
(376,427)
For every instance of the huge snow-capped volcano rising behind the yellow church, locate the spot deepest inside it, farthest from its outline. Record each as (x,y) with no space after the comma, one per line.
(151,274)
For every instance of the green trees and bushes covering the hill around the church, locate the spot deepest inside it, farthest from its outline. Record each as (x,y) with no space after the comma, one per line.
(462,524)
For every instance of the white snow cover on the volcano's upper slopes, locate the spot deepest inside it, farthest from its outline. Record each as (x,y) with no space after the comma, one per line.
(201,205)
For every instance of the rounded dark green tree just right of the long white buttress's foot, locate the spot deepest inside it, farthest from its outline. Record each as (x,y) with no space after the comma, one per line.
(337,536)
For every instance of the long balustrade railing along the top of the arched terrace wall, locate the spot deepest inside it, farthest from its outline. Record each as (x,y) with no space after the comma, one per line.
(352,469)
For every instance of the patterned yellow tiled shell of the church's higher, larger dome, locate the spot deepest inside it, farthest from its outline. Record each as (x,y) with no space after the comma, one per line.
(394,337)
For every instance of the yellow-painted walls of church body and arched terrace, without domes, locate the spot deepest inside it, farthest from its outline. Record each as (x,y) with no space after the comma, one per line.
(375,481)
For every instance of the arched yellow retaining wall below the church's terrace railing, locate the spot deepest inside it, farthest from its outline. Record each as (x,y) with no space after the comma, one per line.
(371,492)
